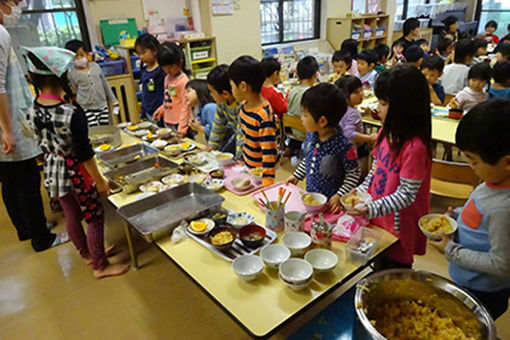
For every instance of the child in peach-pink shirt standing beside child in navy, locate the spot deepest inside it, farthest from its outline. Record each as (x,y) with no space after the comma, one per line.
(174,110)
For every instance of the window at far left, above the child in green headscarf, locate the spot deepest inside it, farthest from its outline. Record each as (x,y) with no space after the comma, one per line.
(51,23)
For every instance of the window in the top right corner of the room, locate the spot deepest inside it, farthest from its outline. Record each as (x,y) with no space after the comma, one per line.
(498,10)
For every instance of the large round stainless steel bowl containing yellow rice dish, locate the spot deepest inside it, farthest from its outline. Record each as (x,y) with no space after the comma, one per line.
(407,284)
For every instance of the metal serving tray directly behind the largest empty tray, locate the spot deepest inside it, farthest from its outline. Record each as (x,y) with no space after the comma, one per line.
(131,176)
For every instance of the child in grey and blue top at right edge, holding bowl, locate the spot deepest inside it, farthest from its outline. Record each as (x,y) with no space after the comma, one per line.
(479,255)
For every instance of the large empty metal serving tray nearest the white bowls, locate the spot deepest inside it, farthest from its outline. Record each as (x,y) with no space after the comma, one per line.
(157,215)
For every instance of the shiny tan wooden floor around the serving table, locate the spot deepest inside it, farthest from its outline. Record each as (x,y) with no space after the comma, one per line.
(52,295)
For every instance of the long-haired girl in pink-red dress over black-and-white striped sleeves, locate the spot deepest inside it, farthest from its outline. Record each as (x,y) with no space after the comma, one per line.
(399,181)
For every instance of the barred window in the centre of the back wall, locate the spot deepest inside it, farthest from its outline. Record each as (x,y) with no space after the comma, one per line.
(289,20)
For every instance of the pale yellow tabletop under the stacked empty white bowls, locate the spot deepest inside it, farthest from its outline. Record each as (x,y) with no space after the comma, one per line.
(262,306)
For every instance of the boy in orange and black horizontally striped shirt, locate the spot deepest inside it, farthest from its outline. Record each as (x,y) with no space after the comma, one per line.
(256,118)
